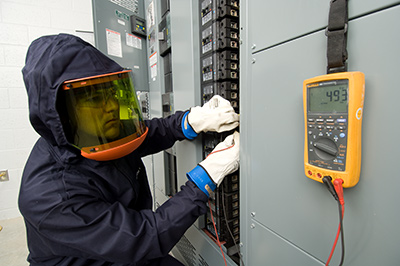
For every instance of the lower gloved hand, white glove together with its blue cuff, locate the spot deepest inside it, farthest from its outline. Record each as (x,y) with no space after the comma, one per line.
(222,161)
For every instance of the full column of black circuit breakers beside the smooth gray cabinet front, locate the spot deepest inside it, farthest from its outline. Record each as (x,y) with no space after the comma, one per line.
(219,58)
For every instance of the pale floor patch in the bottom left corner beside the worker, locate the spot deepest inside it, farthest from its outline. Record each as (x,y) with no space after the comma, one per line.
(13,250)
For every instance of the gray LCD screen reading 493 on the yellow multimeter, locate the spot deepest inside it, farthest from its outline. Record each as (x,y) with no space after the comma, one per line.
(328,97)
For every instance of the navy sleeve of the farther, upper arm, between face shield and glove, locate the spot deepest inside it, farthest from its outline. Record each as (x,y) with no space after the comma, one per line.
(163,133)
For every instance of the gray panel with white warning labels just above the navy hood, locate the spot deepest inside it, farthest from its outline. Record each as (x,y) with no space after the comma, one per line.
(120,34)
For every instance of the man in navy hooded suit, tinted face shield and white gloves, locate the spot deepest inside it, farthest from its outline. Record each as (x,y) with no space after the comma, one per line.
(84,193)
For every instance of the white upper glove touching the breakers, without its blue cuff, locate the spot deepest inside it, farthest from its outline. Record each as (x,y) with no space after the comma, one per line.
(215,115)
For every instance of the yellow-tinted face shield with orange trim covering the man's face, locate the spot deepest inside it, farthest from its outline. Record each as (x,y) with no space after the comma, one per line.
(103,115)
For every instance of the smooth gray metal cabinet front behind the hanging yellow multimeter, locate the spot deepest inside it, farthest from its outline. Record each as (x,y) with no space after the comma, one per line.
(288,219)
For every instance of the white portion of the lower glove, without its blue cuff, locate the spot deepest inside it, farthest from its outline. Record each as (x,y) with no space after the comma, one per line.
(224,159)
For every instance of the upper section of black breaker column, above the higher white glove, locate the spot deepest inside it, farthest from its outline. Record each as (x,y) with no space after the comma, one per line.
(219,35)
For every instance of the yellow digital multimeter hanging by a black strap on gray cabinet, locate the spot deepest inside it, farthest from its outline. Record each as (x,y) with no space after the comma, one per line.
(333,109)
